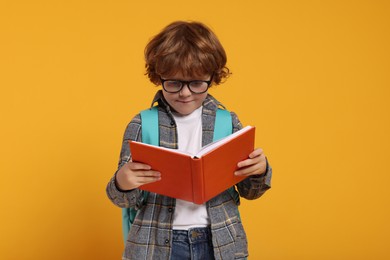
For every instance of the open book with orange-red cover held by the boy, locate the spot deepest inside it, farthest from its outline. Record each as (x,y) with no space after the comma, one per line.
(200,177)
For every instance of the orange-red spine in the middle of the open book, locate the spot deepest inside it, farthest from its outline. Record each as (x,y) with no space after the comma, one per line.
(197,180)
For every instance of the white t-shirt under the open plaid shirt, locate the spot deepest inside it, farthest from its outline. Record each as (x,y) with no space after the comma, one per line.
(189,129)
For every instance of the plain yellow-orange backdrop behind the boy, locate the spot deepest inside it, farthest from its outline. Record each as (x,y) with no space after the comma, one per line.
(312,76)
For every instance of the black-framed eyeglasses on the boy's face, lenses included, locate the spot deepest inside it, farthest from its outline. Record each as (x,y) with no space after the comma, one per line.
(195,86)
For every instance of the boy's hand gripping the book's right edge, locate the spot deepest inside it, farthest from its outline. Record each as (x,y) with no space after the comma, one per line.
(256,164)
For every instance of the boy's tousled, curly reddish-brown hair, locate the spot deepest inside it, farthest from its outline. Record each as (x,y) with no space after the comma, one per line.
(189,48)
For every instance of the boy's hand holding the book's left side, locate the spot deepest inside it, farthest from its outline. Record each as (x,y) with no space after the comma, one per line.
(133,174)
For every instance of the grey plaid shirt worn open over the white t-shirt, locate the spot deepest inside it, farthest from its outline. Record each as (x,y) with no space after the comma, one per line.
(150,236)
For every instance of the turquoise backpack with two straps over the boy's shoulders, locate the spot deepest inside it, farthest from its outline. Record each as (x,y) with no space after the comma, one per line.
(150,135)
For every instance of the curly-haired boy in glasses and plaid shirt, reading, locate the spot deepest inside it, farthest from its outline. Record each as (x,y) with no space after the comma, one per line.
(185,58)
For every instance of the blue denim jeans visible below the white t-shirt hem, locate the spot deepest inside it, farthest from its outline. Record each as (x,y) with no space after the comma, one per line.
(194,244)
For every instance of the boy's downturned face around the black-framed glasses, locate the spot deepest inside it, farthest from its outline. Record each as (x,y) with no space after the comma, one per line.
(185,102)
